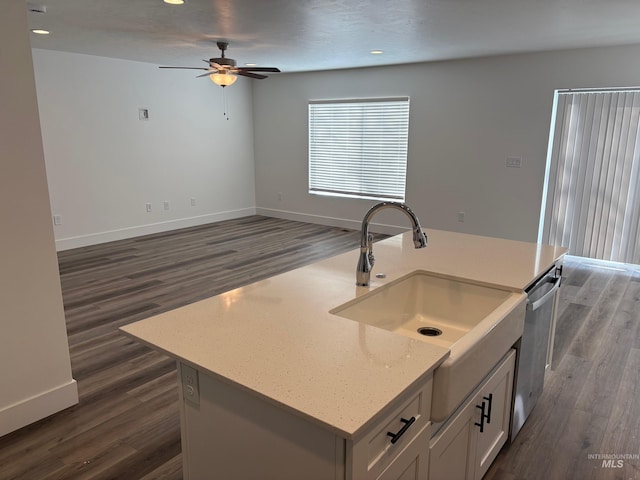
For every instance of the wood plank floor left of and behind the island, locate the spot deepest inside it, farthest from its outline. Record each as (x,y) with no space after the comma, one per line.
(126,425)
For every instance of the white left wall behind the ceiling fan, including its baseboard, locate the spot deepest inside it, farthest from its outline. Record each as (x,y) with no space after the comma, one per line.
(104,164)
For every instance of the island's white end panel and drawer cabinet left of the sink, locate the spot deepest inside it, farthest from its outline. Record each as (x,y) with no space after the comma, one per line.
(230,433)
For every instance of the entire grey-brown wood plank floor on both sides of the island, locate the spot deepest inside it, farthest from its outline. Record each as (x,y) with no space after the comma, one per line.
(127,425)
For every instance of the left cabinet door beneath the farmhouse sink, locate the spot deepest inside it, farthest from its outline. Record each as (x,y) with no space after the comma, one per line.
(452,451)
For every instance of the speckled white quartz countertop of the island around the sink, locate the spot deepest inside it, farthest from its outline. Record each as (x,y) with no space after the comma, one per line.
(276,338)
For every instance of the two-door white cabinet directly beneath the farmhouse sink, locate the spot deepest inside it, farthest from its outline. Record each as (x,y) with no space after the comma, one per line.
(469,441)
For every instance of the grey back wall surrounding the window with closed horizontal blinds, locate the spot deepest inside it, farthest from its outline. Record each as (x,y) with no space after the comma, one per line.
(466,118)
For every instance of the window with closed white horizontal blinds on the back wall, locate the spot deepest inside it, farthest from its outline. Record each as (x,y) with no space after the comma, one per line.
(358,148)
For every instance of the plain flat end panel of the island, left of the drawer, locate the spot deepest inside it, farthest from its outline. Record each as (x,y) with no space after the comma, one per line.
(232,434)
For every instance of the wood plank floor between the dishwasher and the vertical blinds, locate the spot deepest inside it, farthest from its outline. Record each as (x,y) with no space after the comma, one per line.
(591,402)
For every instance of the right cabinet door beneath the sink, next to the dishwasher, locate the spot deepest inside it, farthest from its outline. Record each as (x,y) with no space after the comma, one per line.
(496,396)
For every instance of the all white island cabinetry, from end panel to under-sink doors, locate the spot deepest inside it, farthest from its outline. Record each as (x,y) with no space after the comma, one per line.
(231,433)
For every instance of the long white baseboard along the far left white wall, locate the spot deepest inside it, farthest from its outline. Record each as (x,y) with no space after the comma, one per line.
(124,233)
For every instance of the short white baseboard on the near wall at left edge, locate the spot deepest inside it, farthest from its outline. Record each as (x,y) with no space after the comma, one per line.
(38,407)
